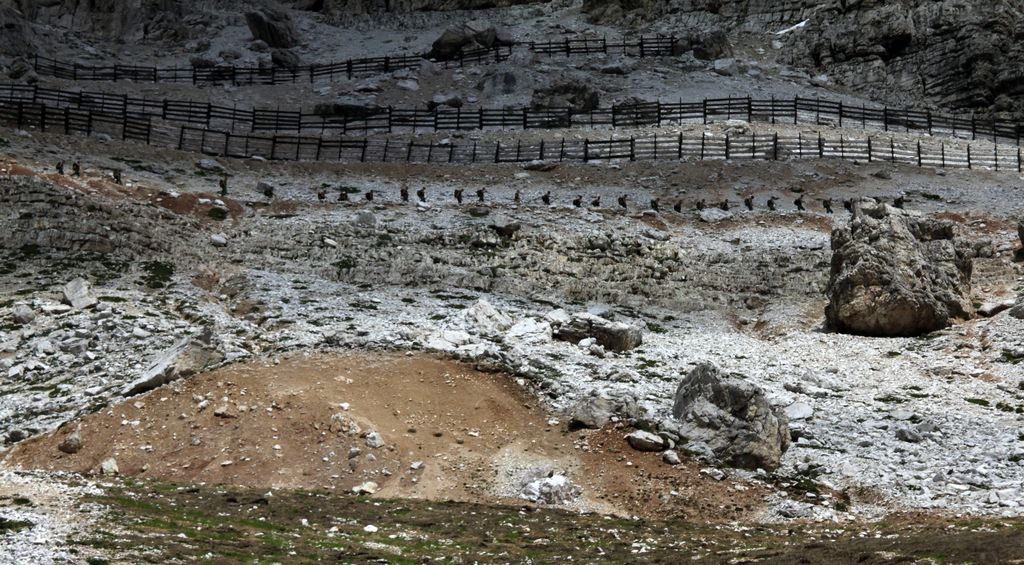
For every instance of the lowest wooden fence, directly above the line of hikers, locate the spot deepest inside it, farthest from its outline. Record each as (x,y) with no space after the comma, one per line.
(678,148)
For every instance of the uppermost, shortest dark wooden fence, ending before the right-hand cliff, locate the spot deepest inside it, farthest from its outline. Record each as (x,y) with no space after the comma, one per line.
(248,75)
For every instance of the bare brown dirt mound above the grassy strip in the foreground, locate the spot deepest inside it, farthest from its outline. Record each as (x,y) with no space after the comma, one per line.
(283,426)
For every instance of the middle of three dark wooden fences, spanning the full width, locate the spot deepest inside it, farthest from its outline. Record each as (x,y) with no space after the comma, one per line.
(368,120)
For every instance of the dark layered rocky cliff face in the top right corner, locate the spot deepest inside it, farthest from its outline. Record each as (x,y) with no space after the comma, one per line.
(957,54)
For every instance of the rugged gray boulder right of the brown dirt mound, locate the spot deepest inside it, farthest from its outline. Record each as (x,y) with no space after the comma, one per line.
(733,417)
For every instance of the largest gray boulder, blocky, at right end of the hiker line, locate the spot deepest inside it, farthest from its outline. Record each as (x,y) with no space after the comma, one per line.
(898,274)
